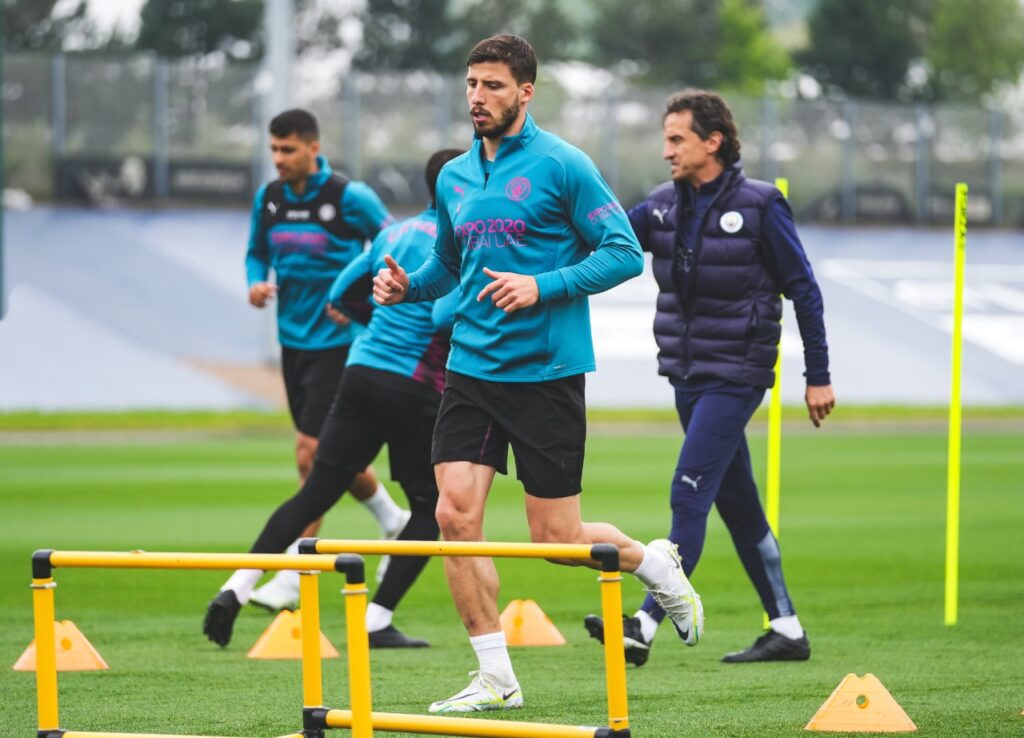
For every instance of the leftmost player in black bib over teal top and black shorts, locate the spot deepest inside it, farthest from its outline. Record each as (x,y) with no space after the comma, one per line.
(308,226)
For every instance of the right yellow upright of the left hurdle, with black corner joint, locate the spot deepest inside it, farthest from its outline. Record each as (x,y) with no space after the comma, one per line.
(359,648)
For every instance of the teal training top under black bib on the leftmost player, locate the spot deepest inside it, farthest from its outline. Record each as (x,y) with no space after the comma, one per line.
(308,241)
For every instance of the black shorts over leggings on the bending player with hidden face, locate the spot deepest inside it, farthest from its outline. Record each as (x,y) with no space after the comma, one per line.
(374,408)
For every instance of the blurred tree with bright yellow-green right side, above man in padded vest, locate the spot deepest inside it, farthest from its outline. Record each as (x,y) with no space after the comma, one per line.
(704,44)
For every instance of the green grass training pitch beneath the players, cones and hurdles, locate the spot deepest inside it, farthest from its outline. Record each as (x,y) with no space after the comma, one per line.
(864,517)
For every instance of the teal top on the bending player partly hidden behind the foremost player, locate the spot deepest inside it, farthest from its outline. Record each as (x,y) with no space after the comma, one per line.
(406,339)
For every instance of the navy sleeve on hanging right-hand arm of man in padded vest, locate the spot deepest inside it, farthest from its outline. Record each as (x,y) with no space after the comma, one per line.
(790,265)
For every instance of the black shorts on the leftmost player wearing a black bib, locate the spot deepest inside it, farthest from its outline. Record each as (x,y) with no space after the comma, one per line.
(312,380)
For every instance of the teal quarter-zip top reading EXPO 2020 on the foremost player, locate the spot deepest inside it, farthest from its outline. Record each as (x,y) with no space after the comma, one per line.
(545,211)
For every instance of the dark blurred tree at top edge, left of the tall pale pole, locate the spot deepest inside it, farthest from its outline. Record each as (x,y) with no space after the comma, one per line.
(188,28)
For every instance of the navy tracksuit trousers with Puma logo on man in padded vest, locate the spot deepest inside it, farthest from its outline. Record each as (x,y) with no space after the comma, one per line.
(715,468)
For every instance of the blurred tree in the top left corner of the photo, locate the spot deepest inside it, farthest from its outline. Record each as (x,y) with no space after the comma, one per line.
(34,25)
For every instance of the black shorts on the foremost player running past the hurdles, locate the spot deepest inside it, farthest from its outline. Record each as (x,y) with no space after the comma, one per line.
(544,422)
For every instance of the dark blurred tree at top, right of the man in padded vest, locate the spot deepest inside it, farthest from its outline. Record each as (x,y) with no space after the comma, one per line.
(866,48)
